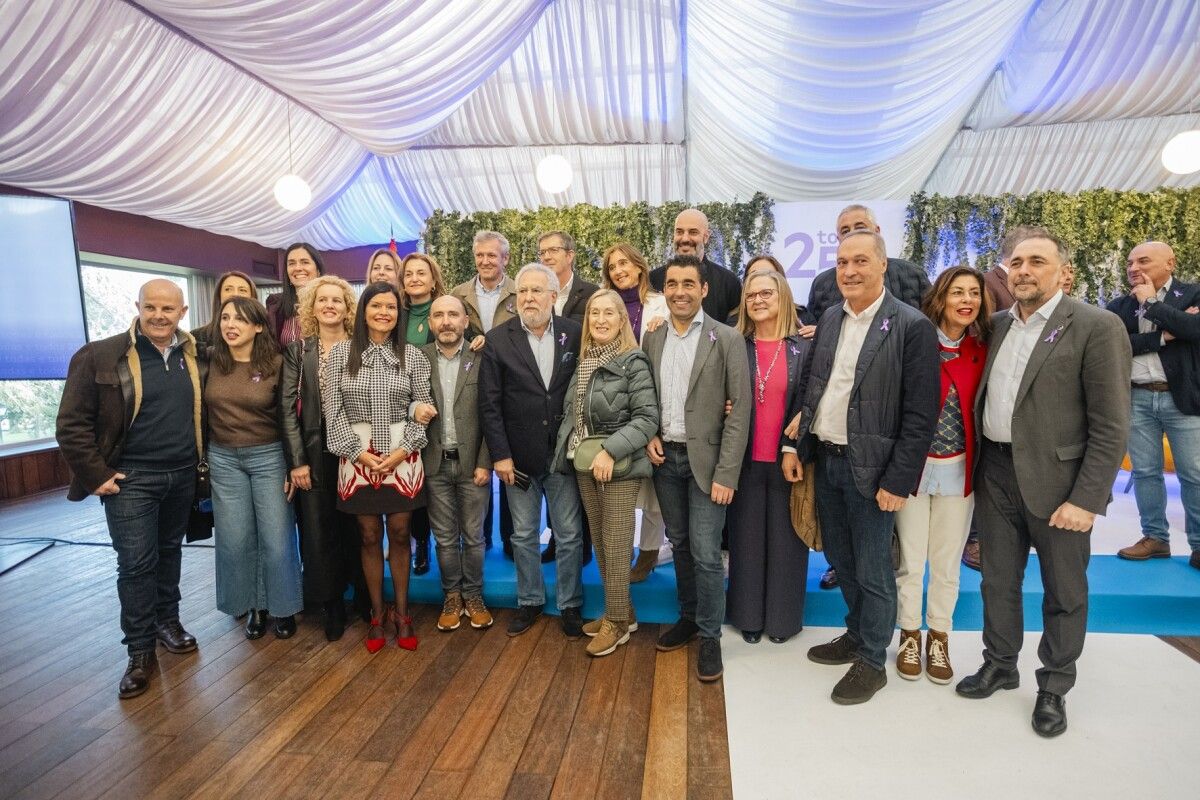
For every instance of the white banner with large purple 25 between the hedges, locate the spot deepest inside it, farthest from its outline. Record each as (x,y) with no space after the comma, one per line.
(807,237)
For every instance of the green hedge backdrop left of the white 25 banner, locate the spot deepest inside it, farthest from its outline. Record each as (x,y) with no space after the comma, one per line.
(739,231)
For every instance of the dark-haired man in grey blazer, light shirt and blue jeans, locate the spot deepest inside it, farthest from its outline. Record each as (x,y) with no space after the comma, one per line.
(700,364)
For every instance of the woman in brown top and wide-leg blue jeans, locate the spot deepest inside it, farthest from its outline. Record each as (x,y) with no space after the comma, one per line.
(257,556)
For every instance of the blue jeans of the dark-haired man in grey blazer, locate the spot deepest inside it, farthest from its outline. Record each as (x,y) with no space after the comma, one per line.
(694,526)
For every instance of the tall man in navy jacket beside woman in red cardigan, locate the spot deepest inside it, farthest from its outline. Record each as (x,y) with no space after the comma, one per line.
(868,418)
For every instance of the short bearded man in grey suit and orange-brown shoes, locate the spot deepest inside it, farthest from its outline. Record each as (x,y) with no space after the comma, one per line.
(458,466)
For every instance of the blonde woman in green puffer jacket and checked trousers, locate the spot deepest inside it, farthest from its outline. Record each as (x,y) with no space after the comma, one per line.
(611,412)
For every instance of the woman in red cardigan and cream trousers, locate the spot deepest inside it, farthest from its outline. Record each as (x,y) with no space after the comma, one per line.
(934,524)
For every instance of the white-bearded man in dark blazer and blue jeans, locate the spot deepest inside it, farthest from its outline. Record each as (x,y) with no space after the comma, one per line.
(529,363)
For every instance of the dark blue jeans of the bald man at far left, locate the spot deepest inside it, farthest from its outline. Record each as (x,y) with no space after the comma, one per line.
(147,522)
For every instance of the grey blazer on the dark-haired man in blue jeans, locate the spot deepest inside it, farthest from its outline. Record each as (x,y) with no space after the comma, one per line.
(716,443)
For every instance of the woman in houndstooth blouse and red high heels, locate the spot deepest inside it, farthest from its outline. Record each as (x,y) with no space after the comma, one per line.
(370,383)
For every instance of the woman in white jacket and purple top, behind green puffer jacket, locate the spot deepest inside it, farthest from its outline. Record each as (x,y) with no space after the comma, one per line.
(626,272)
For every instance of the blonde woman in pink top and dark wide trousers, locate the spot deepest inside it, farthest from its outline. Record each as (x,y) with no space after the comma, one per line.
(769,563)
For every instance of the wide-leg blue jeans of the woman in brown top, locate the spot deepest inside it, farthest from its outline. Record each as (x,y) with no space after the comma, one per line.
(259,556)
